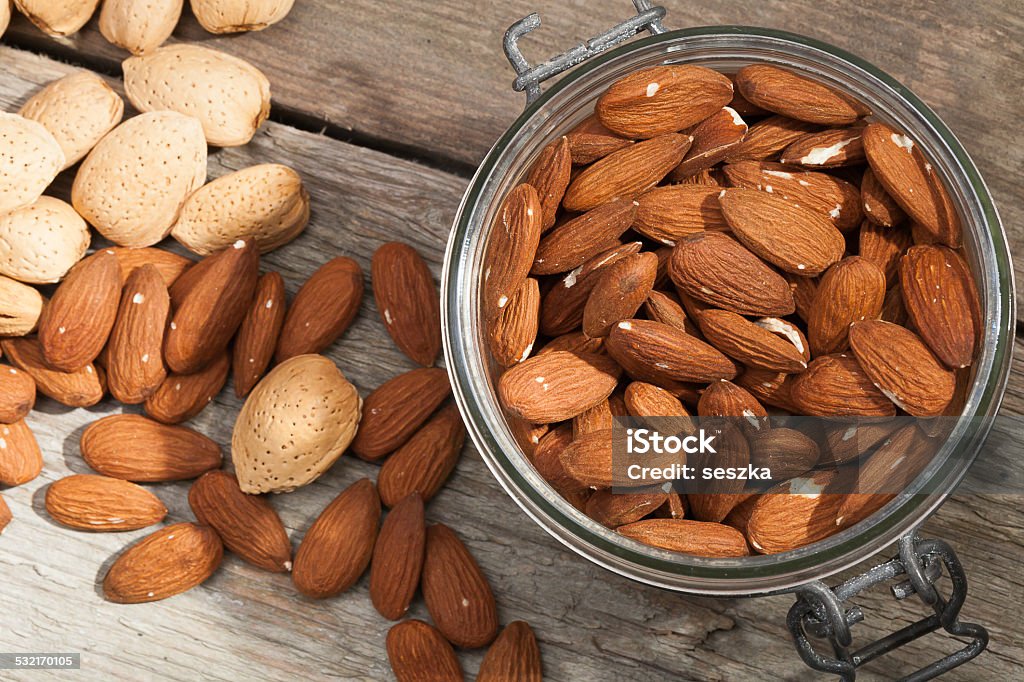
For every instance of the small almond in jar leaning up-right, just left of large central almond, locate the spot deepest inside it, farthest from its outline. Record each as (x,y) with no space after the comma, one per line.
(621,290)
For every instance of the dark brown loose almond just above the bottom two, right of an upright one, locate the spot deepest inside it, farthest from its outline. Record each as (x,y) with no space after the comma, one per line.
(458,595)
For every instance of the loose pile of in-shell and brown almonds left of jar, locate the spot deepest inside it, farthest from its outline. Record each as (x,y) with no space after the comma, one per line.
(148,327)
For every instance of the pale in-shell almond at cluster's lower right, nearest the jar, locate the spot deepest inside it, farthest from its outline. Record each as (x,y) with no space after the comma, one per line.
(266,202)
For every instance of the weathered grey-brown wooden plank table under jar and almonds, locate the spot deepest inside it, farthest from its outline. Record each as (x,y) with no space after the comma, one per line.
(386,109)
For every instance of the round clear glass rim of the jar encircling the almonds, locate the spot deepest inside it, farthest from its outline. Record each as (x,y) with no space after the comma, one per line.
(475,376)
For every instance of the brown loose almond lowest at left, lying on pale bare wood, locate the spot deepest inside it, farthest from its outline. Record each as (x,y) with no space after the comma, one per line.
(167,563)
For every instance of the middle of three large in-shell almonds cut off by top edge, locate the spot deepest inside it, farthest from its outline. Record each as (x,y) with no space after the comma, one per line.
(140,26)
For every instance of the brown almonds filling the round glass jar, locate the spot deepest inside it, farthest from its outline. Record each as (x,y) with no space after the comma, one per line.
(740,247)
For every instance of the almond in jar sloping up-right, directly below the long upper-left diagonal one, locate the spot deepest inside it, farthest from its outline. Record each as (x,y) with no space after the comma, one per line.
(576,241)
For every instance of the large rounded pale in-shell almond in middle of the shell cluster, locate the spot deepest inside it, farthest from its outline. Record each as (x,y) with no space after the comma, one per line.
(133,185)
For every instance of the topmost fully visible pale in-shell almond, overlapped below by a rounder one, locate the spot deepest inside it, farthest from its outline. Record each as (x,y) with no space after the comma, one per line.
(231,97)
